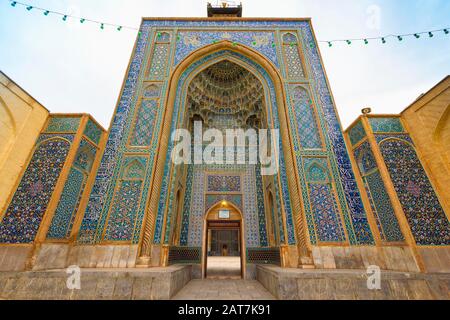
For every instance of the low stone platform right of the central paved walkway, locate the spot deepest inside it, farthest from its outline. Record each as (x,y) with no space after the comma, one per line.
(297,284)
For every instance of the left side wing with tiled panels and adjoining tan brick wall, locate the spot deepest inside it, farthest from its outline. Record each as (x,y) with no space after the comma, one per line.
(46,164)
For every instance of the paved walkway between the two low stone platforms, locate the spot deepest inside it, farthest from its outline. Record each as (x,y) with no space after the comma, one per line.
(223,290)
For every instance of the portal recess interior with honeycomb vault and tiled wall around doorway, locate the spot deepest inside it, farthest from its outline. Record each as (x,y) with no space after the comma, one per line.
(225,95)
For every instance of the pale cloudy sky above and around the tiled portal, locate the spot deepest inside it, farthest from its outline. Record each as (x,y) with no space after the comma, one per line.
(74,68)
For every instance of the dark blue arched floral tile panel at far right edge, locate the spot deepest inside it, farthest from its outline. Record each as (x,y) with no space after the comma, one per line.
(426,218)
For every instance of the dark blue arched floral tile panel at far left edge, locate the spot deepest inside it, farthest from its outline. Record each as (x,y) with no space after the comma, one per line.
(24,214)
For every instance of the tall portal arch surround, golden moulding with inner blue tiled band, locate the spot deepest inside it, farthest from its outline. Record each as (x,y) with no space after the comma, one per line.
(286,188)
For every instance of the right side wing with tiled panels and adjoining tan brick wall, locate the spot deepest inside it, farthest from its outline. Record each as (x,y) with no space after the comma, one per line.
(403,166)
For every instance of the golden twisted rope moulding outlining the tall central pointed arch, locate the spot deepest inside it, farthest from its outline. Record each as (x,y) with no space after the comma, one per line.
(290,182)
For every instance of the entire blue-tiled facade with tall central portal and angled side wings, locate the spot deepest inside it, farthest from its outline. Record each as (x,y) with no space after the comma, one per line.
(338,201)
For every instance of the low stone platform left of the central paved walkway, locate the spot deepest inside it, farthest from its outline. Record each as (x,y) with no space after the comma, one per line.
(115,284)
